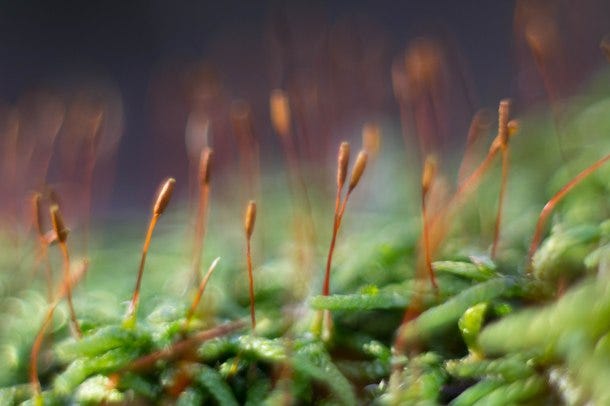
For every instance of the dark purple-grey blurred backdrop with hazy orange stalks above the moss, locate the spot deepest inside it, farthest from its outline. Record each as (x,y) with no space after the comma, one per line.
(104,99)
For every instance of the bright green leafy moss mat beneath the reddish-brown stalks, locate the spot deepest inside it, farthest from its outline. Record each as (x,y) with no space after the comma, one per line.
(515,329)
